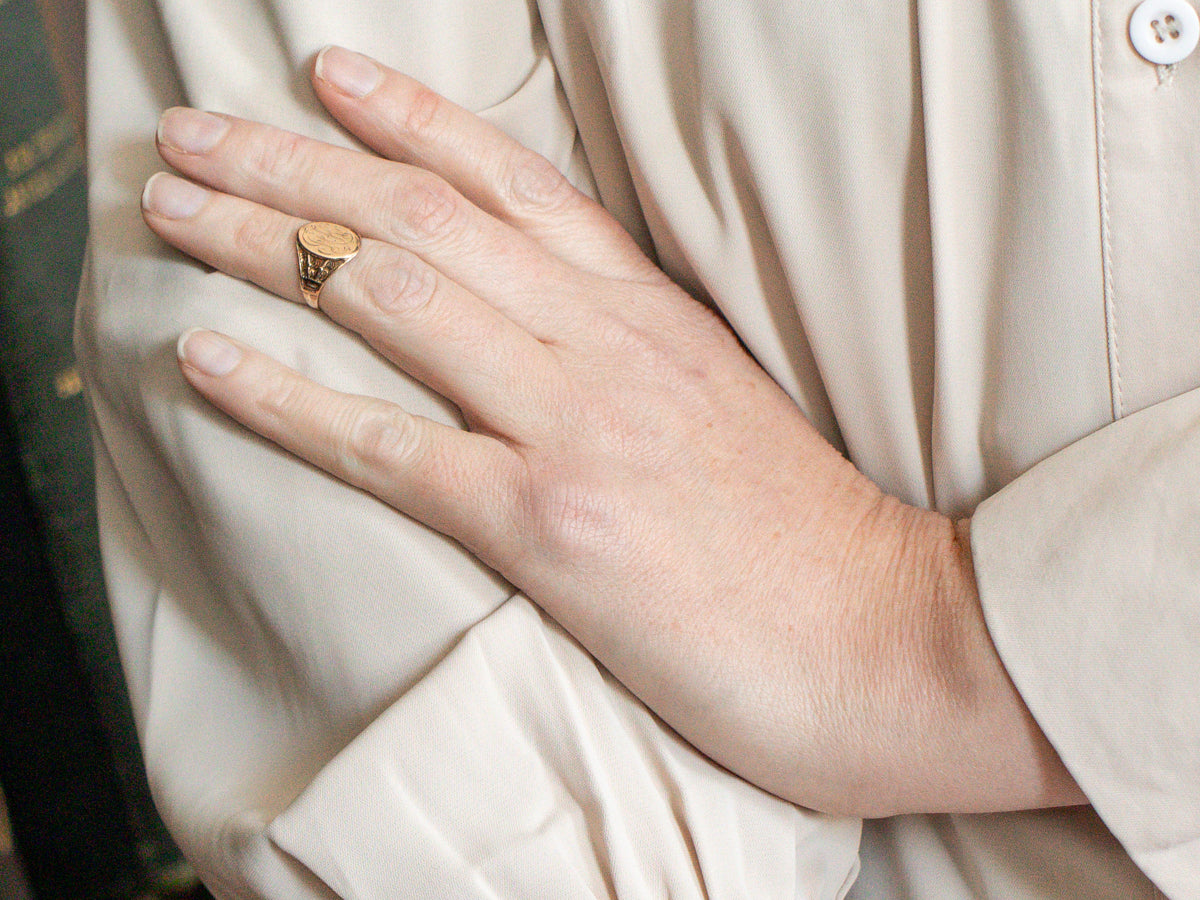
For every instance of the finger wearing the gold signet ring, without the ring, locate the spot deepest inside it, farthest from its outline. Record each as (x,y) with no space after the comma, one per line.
(431,327)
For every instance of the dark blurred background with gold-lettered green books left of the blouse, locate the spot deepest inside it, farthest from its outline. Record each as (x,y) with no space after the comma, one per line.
(76,815)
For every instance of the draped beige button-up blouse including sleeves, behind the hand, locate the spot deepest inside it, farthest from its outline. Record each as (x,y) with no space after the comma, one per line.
(965,237)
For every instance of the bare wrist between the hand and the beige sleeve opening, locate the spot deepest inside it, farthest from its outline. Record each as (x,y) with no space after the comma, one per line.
(945,729)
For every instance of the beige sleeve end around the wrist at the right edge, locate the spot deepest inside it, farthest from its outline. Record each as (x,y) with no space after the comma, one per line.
(1089,569)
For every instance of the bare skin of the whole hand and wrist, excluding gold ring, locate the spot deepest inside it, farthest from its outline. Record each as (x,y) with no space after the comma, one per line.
(627,465)
